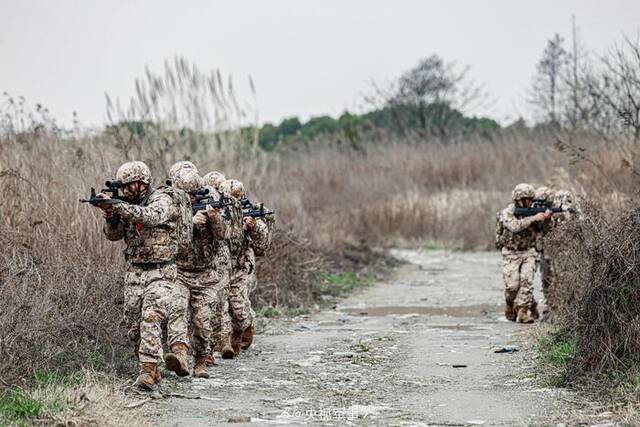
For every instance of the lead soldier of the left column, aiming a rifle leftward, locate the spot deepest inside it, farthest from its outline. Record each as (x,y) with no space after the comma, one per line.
(153,224)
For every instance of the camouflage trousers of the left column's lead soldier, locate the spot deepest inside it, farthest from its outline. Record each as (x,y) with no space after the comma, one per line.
(152,296)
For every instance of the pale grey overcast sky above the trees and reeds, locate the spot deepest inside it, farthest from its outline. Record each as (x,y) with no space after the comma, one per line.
(306,57)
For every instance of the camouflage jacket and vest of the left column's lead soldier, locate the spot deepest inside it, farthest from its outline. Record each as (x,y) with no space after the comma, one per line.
(152,230)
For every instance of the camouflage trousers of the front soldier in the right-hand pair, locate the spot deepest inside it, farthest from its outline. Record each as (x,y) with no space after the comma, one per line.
(518,271)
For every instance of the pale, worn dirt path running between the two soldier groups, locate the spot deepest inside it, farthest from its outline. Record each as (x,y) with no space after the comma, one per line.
(416,350)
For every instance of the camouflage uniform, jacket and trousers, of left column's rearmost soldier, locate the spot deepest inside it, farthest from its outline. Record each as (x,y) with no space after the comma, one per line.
(243,275)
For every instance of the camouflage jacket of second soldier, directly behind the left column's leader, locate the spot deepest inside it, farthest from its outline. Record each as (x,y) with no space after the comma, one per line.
(207,243)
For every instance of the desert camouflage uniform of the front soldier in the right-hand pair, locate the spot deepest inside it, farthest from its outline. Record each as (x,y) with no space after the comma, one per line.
(518,240)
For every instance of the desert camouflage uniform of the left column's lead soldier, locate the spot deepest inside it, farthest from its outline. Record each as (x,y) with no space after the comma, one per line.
(151,232)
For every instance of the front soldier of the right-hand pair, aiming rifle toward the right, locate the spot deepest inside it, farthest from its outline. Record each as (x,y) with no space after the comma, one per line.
(517,239)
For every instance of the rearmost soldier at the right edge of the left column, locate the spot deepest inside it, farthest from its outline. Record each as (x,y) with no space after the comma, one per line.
(255,241)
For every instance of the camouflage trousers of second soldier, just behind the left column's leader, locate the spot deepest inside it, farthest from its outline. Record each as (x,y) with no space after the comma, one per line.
(204,288)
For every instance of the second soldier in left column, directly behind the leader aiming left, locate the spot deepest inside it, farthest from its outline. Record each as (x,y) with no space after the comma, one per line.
(197,269)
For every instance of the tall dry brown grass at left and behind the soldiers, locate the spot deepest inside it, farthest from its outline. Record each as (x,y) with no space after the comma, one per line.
(60,280)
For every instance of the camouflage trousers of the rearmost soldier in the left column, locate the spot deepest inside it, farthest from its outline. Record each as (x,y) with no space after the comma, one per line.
(240,311)
